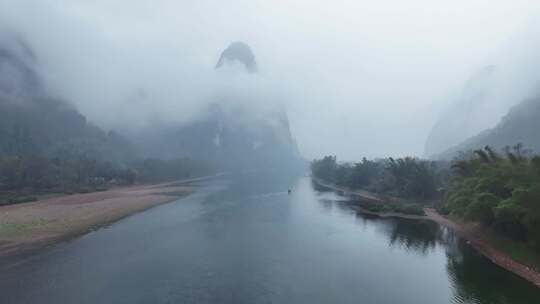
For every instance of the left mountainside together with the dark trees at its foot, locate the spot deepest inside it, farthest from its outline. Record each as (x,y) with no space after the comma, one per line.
(46,145)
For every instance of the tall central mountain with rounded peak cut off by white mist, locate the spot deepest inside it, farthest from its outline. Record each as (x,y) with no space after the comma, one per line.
(257,135)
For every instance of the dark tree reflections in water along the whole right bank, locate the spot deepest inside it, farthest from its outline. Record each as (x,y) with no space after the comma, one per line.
(473,278)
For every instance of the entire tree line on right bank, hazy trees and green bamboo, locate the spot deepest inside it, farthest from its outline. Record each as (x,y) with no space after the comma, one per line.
(500,190)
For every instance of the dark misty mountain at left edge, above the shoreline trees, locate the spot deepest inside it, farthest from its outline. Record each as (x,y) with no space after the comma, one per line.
(32,122)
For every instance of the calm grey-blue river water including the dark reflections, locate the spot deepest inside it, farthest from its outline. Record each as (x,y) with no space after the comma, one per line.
(245,240)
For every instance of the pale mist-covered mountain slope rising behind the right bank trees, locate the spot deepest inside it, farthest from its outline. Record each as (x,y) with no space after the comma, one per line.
(489,113)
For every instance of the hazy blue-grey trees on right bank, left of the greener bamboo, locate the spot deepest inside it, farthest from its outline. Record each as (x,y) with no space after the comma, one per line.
(408,178)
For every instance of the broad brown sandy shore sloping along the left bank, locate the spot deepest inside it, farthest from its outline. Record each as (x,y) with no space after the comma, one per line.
(29,226)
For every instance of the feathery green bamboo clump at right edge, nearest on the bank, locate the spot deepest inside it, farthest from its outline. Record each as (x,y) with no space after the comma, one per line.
(502,191)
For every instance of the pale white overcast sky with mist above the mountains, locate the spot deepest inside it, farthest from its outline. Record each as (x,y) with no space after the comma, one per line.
(358,78)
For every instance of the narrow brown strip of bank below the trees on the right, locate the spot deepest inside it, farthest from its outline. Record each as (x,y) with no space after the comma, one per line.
(472,233)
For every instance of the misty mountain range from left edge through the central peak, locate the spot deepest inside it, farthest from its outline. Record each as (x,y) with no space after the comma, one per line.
(234,130)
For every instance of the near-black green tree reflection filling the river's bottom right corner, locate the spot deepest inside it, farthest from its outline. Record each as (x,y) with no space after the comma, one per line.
(476,280)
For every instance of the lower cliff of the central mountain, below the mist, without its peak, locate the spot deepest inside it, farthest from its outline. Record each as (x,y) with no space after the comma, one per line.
(240,137)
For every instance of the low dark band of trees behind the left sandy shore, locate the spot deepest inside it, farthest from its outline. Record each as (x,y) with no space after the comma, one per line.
(24,177)
